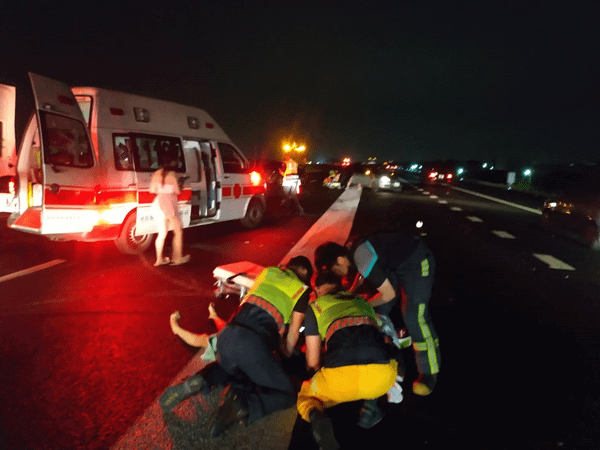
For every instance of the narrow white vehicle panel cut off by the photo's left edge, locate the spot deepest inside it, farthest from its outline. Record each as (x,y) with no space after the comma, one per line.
(8,157)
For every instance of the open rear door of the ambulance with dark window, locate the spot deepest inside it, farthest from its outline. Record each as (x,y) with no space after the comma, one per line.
(57,166)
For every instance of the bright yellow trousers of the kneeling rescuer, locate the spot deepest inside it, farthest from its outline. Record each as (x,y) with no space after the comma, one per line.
(331,386)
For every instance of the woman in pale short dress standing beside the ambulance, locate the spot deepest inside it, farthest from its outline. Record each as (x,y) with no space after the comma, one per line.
(164,184)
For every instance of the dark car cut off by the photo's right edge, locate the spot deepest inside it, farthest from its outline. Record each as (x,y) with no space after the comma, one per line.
(576,210)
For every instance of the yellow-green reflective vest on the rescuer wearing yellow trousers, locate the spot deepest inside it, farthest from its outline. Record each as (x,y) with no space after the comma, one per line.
(341,310)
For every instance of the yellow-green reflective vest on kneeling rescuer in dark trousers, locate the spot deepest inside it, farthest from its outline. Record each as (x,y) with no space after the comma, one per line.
(277,291)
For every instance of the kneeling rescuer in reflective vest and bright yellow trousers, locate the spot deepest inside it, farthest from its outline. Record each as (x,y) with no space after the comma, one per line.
(356,363)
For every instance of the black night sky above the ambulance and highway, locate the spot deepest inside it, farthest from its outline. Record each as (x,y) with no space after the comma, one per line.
(517,82)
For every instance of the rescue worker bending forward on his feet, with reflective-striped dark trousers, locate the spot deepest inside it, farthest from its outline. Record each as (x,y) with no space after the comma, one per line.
(388,261)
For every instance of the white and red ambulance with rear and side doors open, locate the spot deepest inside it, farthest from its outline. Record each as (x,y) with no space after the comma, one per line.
(88,154)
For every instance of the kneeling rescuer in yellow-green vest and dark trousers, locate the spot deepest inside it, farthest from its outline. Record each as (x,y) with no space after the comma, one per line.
(247,348)
